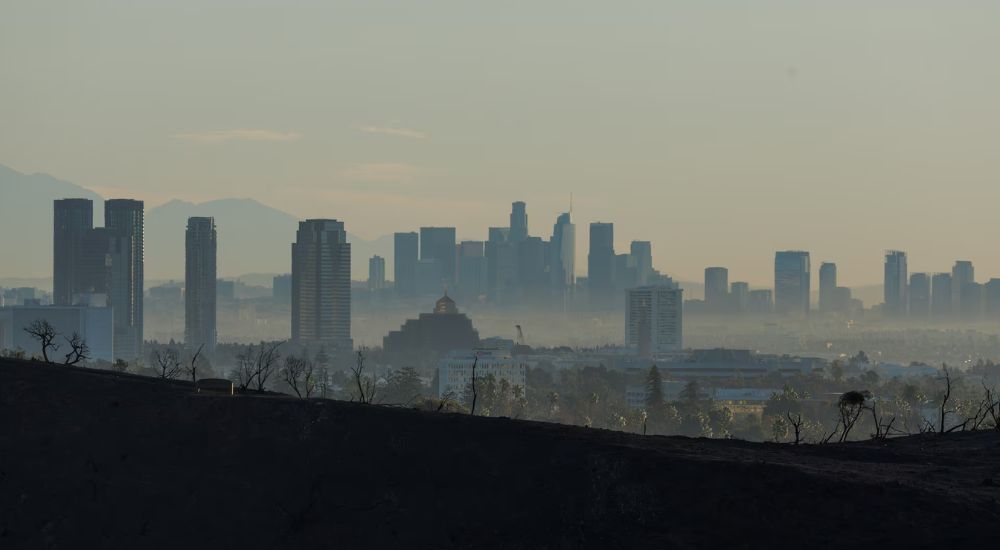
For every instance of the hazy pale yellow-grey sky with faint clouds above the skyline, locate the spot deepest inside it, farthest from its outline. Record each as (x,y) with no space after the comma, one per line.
(721,131)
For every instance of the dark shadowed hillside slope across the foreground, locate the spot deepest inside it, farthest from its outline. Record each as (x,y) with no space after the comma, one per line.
(92,459)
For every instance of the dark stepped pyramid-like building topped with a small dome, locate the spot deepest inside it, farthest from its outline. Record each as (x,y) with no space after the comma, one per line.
(442,330)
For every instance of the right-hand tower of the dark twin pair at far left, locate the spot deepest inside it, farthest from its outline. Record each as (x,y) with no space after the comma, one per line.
(124,220)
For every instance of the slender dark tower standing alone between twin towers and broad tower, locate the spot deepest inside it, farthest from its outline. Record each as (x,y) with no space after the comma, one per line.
(200,245)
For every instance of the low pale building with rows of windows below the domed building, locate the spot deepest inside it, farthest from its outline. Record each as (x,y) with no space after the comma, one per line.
(455,369)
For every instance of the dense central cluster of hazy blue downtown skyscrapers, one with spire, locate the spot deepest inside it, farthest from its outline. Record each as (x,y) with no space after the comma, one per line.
(514,267)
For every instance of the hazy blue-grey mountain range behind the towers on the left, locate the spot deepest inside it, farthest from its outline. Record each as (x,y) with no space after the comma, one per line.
(253,237)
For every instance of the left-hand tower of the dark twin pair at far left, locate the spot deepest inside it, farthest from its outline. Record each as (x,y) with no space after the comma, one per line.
(73,219)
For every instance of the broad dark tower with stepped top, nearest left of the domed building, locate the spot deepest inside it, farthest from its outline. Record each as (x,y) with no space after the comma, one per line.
(321,285)
